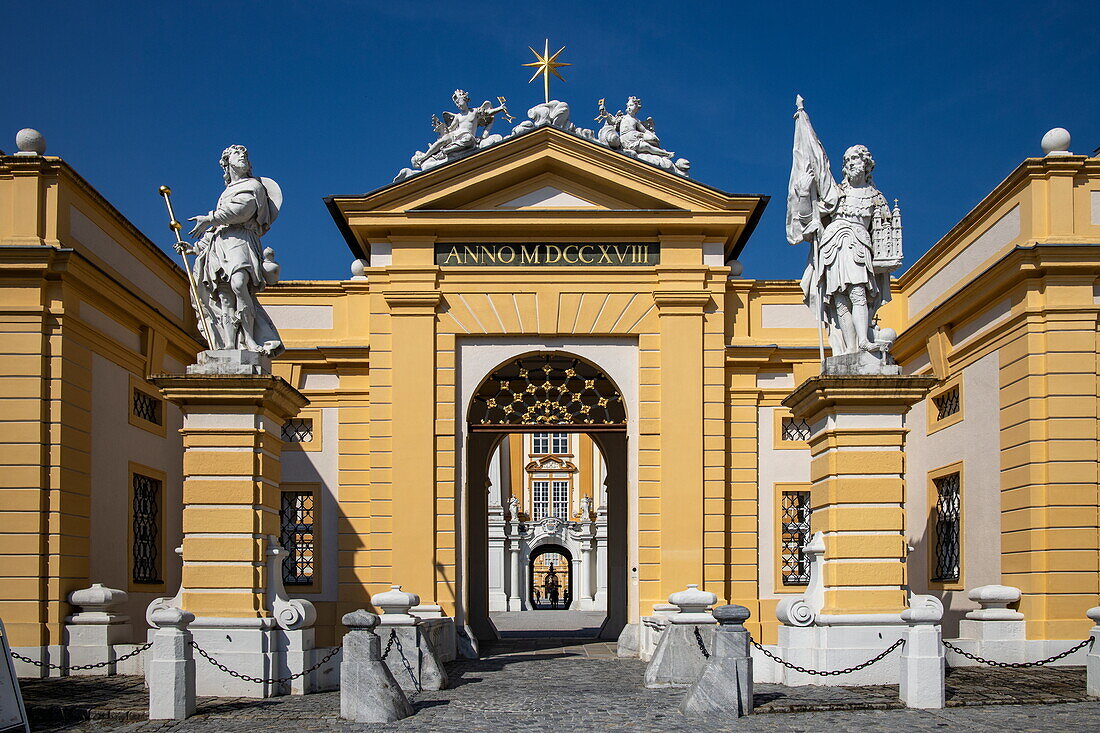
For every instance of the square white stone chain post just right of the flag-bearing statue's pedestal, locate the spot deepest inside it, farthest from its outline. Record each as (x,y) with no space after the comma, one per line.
(922,659)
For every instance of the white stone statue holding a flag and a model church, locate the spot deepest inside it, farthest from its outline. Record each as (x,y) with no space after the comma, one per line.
(855,245)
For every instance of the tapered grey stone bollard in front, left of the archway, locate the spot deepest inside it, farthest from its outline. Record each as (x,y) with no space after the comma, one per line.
(369,694)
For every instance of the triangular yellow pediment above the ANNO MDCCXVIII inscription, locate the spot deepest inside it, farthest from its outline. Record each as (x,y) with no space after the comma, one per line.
(552,182)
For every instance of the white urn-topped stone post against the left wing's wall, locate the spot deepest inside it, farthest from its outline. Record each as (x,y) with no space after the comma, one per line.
(92,634)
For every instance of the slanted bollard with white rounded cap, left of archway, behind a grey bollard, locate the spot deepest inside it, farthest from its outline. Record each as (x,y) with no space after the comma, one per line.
(413,658)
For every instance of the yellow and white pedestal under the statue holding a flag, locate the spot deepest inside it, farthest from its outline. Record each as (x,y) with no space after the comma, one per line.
(857,498)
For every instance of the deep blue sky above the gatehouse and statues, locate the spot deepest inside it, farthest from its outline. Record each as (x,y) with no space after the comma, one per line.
(335,97)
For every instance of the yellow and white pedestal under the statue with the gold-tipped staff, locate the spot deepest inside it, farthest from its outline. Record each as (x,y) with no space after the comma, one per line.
(233,575)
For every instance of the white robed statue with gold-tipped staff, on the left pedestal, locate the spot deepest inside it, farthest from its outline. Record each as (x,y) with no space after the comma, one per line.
(230,266)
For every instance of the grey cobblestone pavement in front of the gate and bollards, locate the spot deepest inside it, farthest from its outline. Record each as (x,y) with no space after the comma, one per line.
(564,685)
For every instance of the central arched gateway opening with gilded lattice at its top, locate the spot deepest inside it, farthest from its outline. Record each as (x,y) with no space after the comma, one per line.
(547,467)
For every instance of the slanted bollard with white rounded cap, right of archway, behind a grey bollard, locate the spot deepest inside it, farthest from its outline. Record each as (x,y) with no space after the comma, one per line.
(678,661)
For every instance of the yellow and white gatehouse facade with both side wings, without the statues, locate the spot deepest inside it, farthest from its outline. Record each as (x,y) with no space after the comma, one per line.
(421,458)
